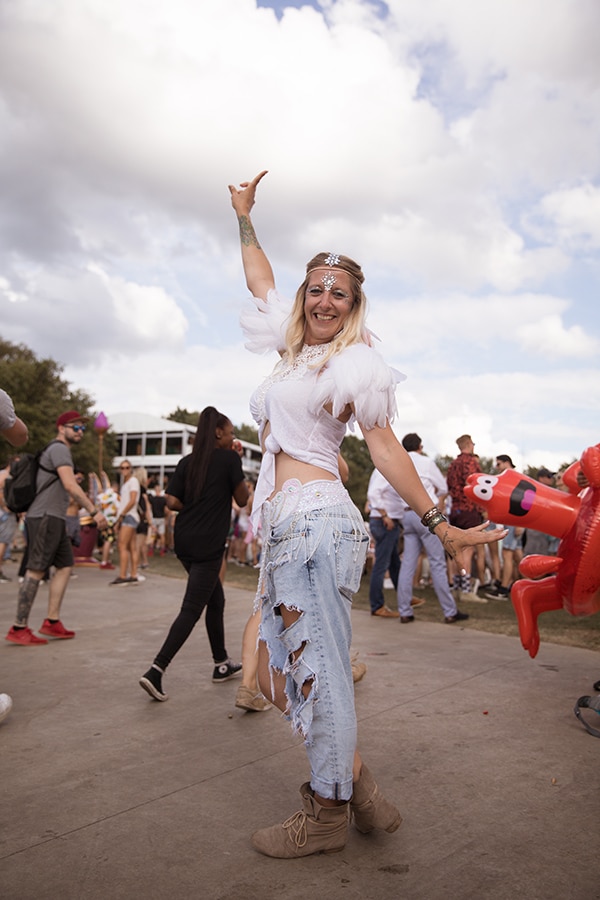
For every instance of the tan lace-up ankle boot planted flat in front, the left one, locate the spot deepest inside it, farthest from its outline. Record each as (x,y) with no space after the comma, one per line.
(313,829)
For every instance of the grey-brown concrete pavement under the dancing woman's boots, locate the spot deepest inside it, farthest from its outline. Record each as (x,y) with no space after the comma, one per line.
(109,794)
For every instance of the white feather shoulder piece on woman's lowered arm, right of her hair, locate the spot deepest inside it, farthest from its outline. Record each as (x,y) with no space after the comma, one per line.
(359,375)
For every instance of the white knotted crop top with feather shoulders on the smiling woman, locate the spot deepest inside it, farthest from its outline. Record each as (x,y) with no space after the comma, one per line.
(292,398)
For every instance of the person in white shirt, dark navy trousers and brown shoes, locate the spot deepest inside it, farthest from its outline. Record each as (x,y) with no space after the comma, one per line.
(386,508)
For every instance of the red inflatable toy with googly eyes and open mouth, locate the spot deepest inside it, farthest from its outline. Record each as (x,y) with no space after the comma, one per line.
(573,581)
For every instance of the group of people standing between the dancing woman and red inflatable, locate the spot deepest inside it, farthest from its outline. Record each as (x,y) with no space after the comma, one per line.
(401,547)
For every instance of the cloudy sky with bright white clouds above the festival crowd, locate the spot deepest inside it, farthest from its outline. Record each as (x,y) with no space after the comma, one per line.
(451,147)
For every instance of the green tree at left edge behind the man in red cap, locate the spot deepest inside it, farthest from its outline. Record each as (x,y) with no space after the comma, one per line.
(40,394)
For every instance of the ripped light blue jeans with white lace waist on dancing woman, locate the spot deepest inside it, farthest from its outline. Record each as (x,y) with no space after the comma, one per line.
(314,548)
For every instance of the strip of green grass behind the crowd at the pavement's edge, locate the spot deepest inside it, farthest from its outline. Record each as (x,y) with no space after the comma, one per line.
(495,616)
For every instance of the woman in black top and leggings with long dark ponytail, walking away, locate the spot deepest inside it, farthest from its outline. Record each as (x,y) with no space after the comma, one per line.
(200,491)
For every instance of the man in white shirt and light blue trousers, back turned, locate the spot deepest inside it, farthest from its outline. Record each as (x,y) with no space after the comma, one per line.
(417,538)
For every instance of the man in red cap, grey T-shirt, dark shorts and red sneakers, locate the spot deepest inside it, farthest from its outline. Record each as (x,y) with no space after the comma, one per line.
(47,540)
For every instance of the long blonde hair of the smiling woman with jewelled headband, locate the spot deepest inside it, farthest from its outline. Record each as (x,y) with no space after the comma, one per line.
(354,330)
